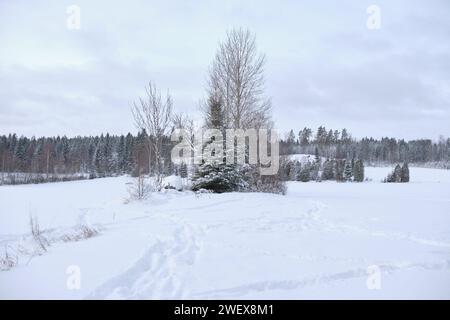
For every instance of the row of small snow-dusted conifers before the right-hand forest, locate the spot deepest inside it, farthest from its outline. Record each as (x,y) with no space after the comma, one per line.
(340,170)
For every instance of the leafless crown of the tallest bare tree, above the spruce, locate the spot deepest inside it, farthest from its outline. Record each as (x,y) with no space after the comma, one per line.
(237,75)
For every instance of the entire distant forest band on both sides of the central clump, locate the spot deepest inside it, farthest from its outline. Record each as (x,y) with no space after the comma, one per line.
(109,155)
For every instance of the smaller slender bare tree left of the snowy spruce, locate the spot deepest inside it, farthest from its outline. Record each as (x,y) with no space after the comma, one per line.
(153,114)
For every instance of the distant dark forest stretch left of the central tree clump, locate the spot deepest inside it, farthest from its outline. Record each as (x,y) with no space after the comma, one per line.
(100,156)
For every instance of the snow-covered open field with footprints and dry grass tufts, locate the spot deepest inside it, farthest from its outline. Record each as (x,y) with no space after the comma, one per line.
(316,242)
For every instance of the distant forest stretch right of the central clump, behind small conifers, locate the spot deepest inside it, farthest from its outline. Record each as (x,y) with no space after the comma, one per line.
(340,144)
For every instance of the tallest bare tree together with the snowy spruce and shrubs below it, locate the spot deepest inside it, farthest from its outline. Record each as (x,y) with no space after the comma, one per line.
(235,100)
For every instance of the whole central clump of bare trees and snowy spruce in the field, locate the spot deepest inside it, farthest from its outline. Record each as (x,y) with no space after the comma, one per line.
(235,100)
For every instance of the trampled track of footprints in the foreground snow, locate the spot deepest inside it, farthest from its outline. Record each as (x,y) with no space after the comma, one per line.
(160,273)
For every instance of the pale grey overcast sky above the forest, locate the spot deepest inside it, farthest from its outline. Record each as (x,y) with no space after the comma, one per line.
(324,66)
